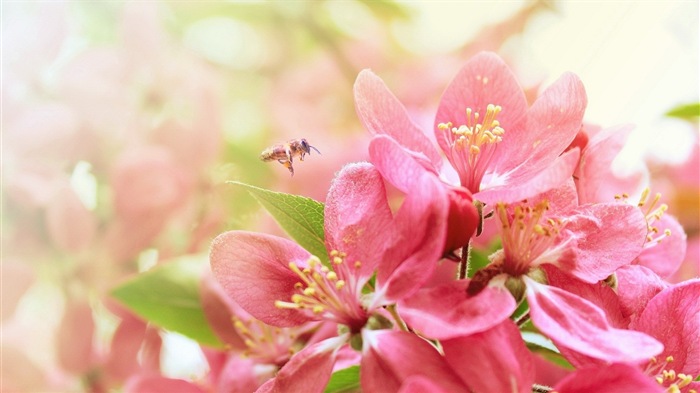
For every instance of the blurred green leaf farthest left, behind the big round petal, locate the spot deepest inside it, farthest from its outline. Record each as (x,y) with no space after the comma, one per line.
(168,296)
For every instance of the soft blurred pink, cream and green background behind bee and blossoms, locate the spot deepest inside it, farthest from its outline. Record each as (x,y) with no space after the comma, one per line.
(121,122)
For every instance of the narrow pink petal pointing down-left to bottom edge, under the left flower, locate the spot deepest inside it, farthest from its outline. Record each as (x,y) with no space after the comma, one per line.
(307,371)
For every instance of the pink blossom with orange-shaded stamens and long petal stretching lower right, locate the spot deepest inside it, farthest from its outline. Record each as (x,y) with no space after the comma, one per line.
(587,242)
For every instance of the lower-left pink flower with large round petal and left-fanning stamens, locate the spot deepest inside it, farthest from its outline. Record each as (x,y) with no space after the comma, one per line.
(281,284)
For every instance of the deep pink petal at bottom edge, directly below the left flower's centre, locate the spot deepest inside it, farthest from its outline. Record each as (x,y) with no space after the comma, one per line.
(389,358)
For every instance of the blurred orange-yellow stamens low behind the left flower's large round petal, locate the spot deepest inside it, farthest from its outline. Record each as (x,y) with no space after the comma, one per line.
(266,343)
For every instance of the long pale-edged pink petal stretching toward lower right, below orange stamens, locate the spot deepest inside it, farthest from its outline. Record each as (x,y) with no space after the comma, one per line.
(579,325)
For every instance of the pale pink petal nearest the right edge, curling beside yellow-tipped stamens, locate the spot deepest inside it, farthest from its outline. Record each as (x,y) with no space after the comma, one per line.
(666,256)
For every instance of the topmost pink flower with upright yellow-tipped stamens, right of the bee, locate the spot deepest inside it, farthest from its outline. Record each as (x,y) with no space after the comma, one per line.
(501,150)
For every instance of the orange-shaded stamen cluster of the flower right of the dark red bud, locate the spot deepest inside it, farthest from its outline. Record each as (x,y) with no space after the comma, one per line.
(526,235)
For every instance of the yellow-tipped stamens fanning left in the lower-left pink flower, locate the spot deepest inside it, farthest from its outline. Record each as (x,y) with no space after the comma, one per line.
(321,294)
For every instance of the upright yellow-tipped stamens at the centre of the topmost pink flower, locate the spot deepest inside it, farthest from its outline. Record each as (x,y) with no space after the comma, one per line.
(473,144)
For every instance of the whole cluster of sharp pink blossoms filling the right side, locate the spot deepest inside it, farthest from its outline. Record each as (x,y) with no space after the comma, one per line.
(576,276)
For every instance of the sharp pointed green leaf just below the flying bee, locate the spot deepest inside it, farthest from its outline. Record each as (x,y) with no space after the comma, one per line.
(300,217)
